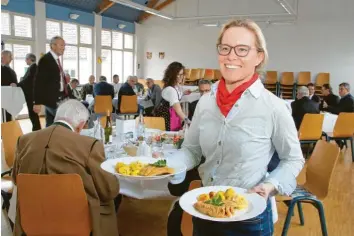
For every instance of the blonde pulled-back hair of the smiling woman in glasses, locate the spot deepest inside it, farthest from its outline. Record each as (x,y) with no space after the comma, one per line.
(256,30)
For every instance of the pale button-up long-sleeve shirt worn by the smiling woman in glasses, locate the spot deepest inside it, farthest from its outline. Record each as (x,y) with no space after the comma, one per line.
(239,147)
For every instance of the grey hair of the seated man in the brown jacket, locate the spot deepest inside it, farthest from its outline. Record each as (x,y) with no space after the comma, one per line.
(73,112)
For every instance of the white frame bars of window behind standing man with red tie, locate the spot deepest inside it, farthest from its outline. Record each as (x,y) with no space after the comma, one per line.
(78,45)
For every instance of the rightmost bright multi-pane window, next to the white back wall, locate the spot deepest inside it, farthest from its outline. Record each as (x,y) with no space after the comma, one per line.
(117,54)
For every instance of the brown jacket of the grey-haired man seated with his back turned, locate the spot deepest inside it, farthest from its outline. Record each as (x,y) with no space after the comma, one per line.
(58,150)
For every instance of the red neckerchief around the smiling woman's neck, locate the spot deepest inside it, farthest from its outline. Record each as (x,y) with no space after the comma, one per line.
(226,100)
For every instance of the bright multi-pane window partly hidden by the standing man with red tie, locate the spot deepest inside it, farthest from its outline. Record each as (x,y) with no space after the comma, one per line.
(78,56)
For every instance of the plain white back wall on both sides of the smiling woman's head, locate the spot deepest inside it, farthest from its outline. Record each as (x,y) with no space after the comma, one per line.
(320,41)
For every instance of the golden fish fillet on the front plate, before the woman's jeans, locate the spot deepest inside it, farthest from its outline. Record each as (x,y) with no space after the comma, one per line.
(226,210)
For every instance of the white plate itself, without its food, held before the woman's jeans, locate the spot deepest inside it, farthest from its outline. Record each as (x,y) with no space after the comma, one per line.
(255,204)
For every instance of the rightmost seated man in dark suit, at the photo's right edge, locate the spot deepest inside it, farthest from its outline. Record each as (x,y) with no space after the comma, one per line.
(346,103)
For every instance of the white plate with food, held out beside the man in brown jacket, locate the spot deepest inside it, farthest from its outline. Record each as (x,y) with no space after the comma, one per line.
(143,168)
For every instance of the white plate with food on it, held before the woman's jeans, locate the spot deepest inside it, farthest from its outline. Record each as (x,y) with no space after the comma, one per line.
(235,204)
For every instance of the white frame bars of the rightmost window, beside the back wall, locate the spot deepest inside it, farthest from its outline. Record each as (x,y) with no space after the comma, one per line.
(122,78)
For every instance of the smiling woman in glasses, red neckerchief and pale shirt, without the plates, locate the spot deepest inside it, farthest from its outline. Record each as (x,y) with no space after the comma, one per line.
(237,127)
